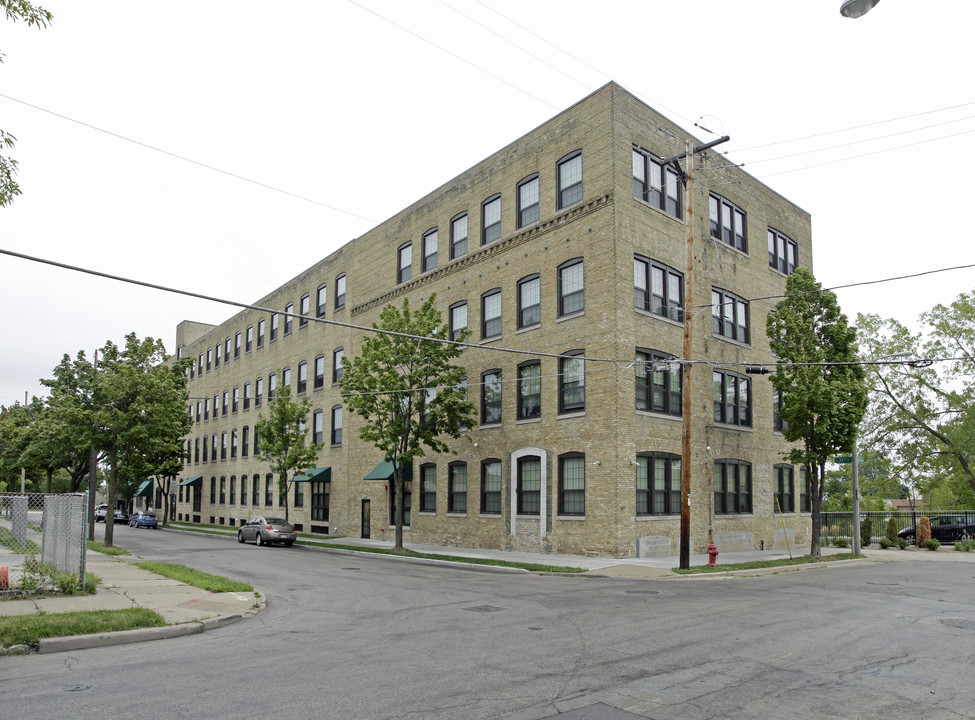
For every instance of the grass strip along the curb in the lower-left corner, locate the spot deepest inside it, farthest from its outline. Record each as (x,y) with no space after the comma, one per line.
(28,629)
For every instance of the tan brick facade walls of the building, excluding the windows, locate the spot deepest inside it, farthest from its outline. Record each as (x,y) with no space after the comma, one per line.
(606,230)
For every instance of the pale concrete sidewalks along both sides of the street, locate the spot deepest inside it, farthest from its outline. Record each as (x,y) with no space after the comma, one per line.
(189,610)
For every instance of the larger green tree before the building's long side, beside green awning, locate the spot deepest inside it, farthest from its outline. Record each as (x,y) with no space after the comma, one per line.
(405,387)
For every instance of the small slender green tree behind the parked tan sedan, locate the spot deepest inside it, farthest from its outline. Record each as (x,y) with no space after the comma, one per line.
(283,444)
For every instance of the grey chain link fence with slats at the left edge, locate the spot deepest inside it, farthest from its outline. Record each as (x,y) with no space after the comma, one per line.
(42,541)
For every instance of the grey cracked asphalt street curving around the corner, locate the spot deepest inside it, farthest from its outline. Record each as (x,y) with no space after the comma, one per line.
(352,636)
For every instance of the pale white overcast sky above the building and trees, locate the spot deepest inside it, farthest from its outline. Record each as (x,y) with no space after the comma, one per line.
(223,146)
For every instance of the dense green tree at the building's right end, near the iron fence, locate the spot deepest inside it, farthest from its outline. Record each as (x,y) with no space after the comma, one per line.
(823,386)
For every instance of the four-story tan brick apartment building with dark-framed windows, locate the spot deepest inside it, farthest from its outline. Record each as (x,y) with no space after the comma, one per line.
(568,245)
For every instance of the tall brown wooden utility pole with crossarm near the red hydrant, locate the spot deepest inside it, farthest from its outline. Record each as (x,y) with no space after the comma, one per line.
(686,406)
